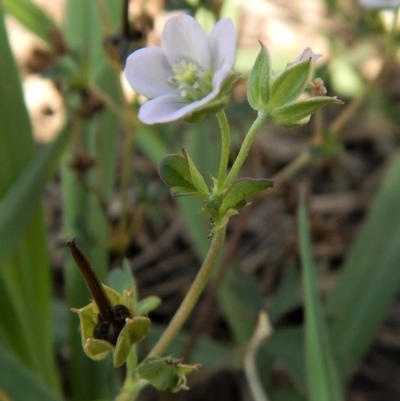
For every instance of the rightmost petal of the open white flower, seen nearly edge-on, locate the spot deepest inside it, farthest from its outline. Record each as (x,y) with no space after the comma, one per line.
(223,49)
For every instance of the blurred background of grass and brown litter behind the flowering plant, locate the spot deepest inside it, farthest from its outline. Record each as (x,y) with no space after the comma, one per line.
(76,161)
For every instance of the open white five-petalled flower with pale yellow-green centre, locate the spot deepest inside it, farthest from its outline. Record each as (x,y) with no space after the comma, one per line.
(187,73)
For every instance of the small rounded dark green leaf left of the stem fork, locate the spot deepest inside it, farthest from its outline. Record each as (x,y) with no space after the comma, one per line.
(174,171)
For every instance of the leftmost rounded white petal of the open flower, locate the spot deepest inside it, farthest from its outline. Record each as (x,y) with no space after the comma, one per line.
(147,71)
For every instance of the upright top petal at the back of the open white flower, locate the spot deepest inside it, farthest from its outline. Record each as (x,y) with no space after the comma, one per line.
(184,38)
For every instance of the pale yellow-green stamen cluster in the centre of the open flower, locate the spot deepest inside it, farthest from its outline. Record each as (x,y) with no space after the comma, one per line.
(191,80)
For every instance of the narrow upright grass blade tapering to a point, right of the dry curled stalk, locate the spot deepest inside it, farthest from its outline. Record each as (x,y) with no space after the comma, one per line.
(323,380)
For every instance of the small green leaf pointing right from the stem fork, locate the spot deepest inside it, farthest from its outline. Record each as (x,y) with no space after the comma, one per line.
(237,194)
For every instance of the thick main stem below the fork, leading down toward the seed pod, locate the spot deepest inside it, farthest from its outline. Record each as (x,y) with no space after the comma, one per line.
(193,294)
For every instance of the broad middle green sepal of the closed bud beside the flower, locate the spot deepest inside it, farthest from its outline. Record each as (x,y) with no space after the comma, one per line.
(289,84)
